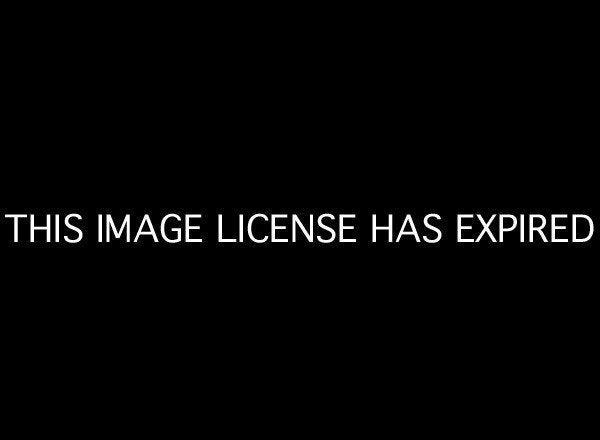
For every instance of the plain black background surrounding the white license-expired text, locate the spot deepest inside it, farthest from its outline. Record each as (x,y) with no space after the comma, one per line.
(368,113)
